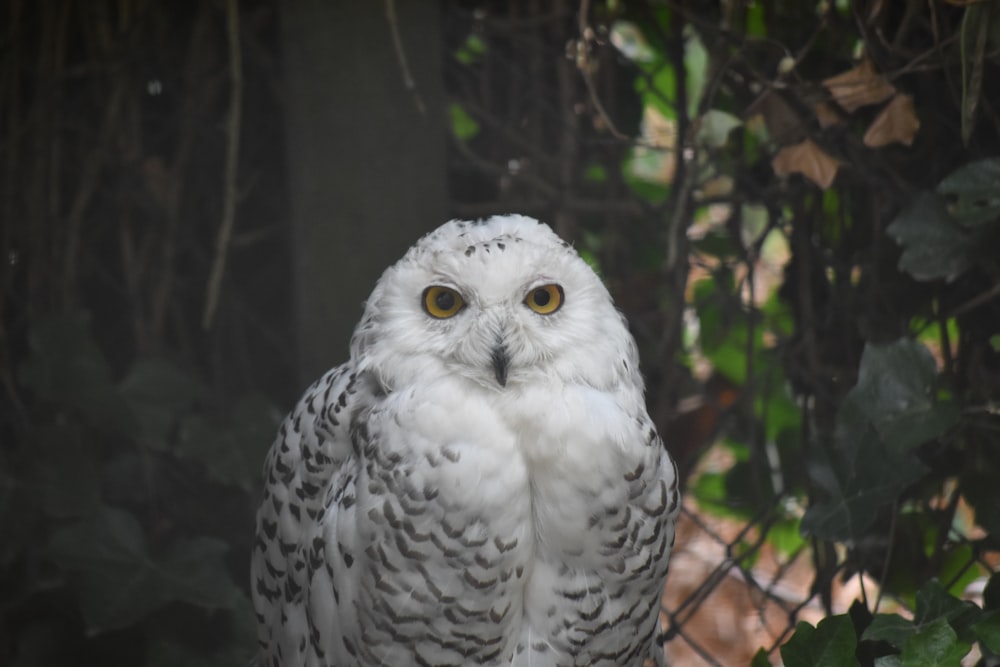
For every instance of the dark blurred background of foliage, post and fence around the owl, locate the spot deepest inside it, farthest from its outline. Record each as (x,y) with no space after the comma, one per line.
(797,205)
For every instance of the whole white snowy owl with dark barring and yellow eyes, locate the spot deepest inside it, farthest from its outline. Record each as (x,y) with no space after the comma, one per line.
(480,483)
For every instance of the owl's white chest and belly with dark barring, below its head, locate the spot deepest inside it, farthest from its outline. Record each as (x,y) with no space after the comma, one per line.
(490,515)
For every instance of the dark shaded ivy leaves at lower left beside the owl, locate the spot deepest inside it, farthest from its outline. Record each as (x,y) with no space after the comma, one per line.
(104,482)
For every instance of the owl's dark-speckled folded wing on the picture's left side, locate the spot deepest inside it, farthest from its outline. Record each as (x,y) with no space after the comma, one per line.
(312,445)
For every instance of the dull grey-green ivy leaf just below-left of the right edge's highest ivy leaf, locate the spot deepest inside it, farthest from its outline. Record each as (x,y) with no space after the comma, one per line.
(934,245)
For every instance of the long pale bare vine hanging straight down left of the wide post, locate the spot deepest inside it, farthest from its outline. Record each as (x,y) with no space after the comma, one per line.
(232,163)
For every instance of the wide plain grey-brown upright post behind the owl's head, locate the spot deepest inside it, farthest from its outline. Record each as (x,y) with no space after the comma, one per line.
(366,155)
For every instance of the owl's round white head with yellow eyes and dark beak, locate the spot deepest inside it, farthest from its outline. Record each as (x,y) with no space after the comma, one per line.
(500,302)
